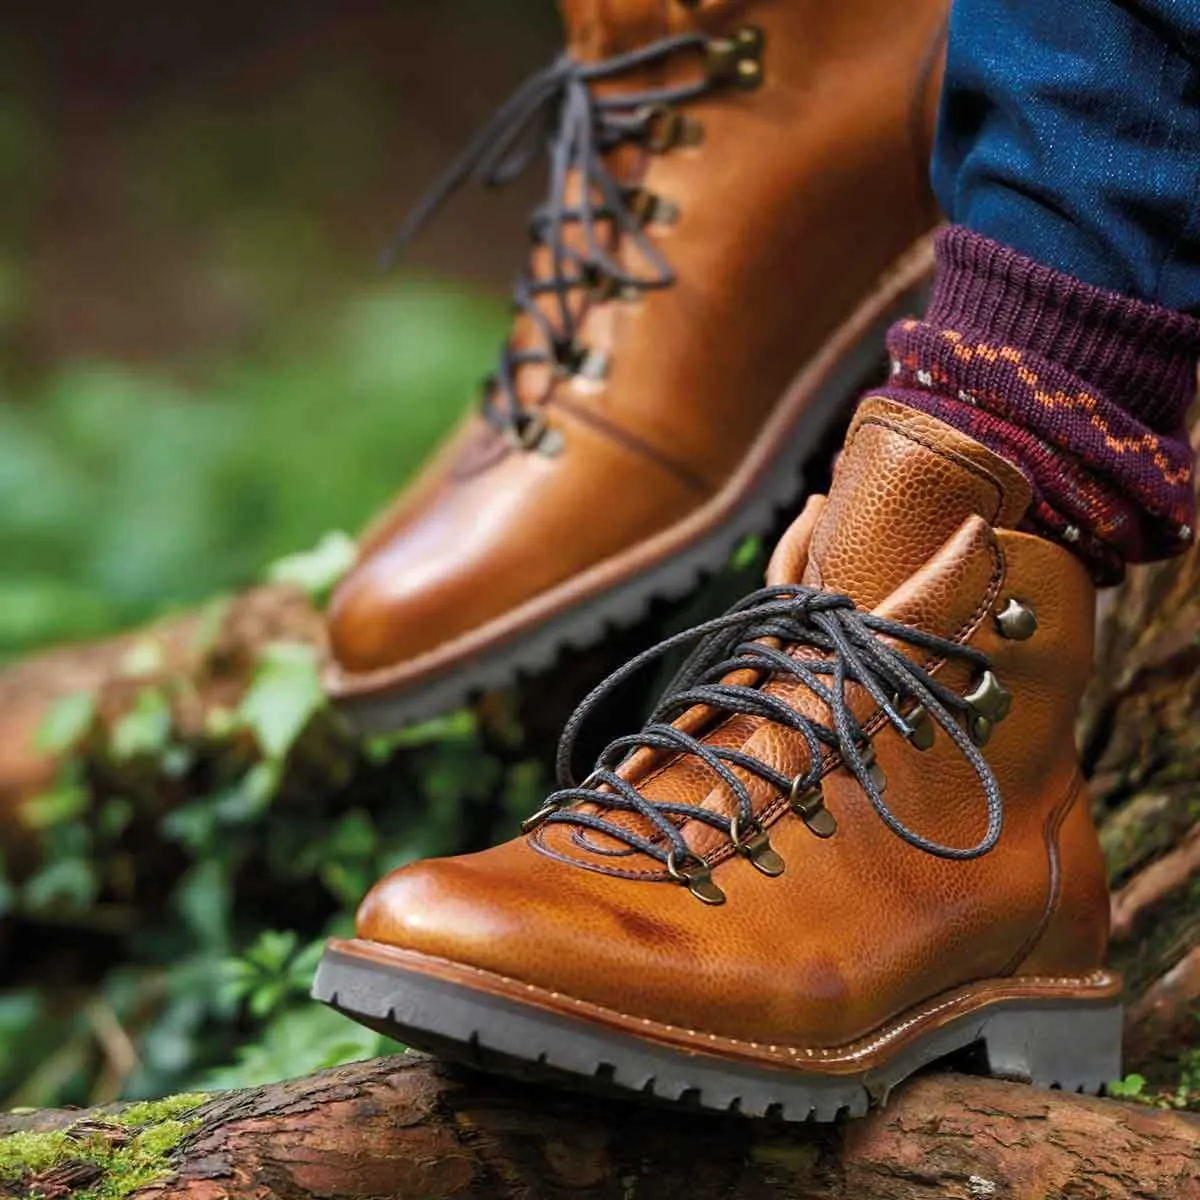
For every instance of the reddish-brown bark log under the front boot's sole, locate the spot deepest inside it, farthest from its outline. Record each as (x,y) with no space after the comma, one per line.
(409,1129)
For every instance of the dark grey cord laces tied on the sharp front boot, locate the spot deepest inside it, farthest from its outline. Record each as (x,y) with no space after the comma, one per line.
(751,637)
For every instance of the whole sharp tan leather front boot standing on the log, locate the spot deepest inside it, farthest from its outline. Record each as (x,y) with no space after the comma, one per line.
(862,842)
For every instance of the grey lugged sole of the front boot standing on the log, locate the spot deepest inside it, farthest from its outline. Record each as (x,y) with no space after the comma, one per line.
(1073,1046)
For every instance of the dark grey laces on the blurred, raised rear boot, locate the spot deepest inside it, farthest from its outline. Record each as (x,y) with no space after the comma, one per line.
(584,128)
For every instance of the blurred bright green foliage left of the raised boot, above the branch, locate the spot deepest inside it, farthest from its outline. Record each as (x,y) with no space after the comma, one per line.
(125,494)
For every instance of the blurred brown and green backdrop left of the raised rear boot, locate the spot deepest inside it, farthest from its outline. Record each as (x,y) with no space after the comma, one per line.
(201,369)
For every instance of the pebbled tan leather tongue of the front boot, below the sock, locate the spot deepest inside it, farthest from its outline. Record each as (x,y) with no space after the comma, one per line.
(904,484)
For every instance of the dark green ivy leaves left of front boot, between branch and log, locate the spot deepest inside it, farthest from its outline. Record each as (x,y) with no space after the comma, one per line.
(214,928)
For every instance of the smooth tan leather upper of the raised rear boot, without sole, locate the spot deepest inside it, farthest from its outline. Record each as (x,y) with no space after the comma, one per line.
(801,197)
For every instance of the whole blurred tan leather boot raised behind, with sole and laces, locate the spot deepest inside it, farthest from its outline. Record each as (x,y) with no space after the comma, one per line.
(757,202)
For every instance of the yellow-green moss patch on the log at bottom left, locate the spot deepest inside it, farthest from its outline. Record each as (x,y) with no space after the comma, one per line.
(155,1127)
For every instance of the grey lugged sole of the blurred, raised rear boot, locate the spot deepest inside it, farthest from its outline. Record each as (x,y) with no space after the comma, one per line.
(585,623)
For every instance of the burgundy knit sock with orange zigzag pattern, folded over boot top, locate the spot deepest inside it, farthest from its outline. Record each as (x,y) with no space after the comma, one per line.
(1084,389)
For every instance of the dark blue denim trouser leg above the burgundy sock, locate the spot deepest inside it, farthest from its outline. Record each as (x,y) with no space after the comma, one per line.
(1070,130)
